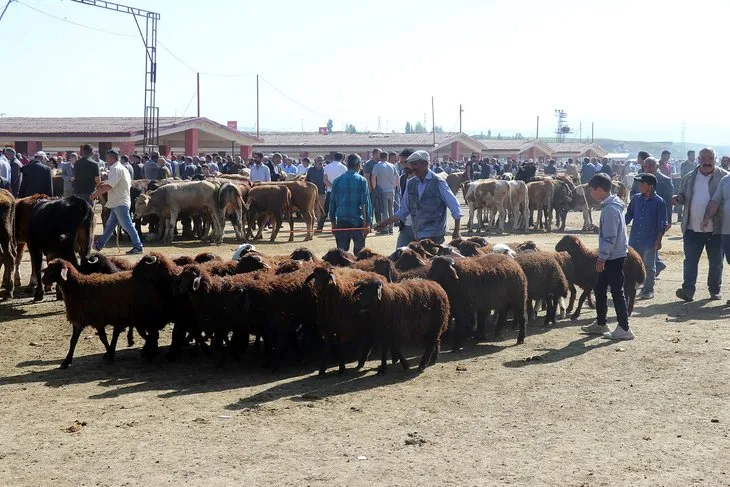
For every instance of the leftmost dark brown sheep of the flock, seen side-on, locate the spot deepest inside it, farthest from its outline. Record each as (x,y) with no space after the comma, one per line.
(101,300)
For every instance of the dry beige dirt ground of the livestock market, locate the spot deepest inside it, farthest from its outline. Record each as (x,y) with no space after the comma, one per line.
(564,409)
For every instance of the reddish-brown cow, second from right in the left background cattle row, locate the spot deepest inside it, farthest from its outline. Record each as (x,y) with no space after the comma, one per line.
(268,200)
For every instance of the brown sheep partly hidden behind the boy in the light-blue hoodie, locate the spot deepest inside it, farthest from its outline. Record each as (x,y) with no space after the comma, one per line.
(585,270)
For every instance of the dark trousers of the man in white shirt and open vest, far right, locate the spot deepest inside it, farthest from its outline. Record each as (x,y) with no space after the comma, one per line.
(694,243)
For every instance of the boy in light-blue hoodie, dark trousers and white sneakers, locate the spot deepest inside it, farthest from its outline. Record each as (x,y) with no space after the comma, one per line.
(612,249)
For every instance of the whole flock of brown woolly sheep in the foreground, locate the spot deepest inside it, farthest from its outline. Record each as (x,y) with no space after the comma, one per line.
(299,303)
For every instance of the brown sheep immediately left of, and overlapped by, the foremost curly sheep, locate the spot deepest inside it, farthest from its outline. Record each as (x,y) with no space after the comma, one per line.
(338,320)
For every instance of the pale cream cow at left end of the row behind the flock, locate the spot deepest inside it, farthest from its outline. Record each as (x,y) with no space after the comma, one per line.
(172,199)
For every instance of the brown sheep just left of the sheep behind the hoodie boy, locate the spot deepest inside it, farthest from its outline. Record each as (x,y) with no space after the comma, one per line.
(545,280)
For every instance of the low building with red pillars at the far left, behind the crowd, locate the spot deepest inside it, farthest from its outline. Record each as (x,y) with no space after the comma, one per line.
(177,135)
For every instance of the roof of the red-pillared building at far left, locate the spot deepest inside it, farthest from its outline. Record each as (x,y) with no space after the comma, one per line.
(96,127)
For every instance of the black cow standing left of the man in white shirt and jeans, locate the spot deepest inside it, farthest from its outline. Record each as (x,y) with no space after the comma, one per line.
(57,228)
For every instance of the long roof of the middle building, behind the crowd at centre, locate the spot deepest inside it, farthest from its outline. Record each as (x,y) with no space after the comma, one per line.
(342,139)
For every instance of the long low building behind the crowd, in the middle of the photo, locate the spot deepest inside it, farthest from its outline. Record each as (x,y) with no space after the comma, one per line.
(447,145)
